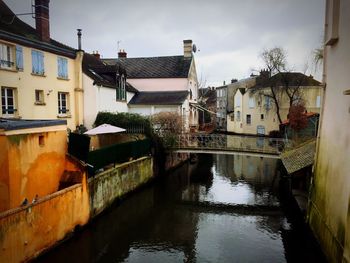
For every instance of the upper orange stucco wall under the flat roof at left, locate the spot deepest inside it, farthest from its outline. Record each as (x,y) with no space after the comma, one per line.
(30,168)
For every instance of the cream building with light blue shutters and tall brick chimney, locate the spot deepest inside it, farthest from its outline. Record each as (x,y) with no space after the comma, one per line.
(40,78)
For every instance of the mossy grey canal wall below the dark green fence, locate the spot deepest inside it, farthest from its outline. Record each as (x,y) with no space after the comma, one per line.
(109,185)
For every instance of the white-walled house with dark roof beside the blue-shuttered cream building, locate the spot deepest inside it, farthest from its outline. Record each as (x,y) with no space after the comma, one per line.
(105,88)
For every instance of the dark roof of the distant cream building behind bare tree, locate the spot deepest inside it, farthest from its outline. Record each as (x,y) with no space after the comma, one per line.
(286,79)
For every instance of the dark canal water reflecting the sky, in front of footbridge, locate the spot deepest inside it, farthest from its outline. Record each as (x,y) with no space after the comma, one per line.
(222,208)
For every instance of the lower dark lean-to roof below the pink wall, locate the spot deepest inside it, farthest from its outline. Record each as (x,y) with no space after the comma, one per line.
(159,98)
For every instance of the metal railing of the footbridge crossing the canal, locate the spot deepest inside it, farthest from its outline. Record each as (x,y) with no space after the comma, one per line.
(231,143)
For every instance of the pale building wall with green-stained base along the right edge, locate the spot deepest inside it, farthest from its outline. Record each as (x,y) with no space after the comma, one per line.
(329,203)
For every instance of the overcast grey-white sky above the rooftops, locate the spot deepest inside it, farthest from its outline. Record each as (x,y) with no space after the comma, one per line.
(230,34)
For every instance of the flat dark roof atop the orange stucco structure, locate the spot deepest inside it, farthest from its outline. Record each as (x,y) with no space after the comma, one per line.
(16,124)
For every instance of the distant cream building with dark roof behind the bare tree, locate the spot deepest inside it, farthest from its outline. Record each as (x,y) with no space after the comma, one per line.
(254,111)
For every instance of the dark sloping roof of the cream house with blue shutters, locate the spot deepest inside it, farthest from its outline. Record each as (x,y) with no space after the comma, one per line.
(14,29)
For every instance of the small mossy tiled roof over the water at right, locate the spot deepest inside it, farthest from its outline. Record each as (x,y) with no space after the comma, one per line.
(300,157)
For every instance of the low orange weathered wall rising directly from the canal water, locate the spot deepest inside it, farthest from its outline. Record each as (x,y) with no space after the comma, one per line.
(26,231)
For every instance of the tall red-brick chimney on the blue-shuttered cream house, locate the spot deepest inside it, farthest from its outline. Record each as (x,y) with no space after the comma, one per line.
(42,19)
